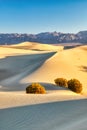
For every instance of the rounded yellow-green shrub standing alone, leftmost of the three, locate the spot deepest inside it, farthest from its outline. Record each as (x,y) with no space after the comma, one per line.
(35,88)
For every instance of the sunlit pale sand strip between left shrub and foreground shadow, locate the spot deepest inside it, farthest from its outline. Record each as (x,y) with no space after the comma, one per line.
(13,99)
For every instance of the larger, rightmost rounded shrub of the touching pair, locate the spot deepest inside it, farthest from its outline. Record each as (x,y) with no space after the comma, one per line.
(75,85)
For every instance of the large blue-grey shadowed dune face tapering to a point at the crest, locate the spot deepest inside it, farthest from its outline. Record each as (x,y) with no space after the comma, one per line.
(15,68)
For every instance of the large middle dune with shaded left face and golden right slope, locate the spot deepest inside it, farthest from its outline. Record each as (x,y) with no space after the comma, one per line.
(20,69)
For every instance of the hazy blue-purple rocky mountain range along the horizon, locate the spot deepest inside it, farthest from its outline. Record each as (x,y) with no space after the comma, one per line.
(46,37)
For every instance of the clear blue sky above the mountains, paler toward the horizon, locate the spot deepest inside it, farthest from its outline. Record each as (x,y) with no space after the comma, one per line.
(35,16)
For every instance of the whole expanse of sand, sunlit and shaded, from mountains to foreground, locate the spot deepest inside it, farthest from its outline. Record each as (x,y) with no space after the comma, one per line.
(59,108)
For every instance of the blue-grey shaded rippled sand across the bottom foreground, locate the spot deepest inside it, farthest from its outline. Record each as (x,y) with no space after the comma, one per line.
(66,115)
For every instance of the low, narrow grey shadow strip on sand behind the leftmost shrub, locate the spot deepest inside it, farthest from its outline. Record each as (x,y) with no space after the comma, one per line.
(22,86)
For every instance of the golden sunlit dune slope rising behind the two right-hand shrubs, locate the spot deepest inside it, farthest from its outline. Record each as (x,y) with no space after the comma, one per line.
(70,63)
